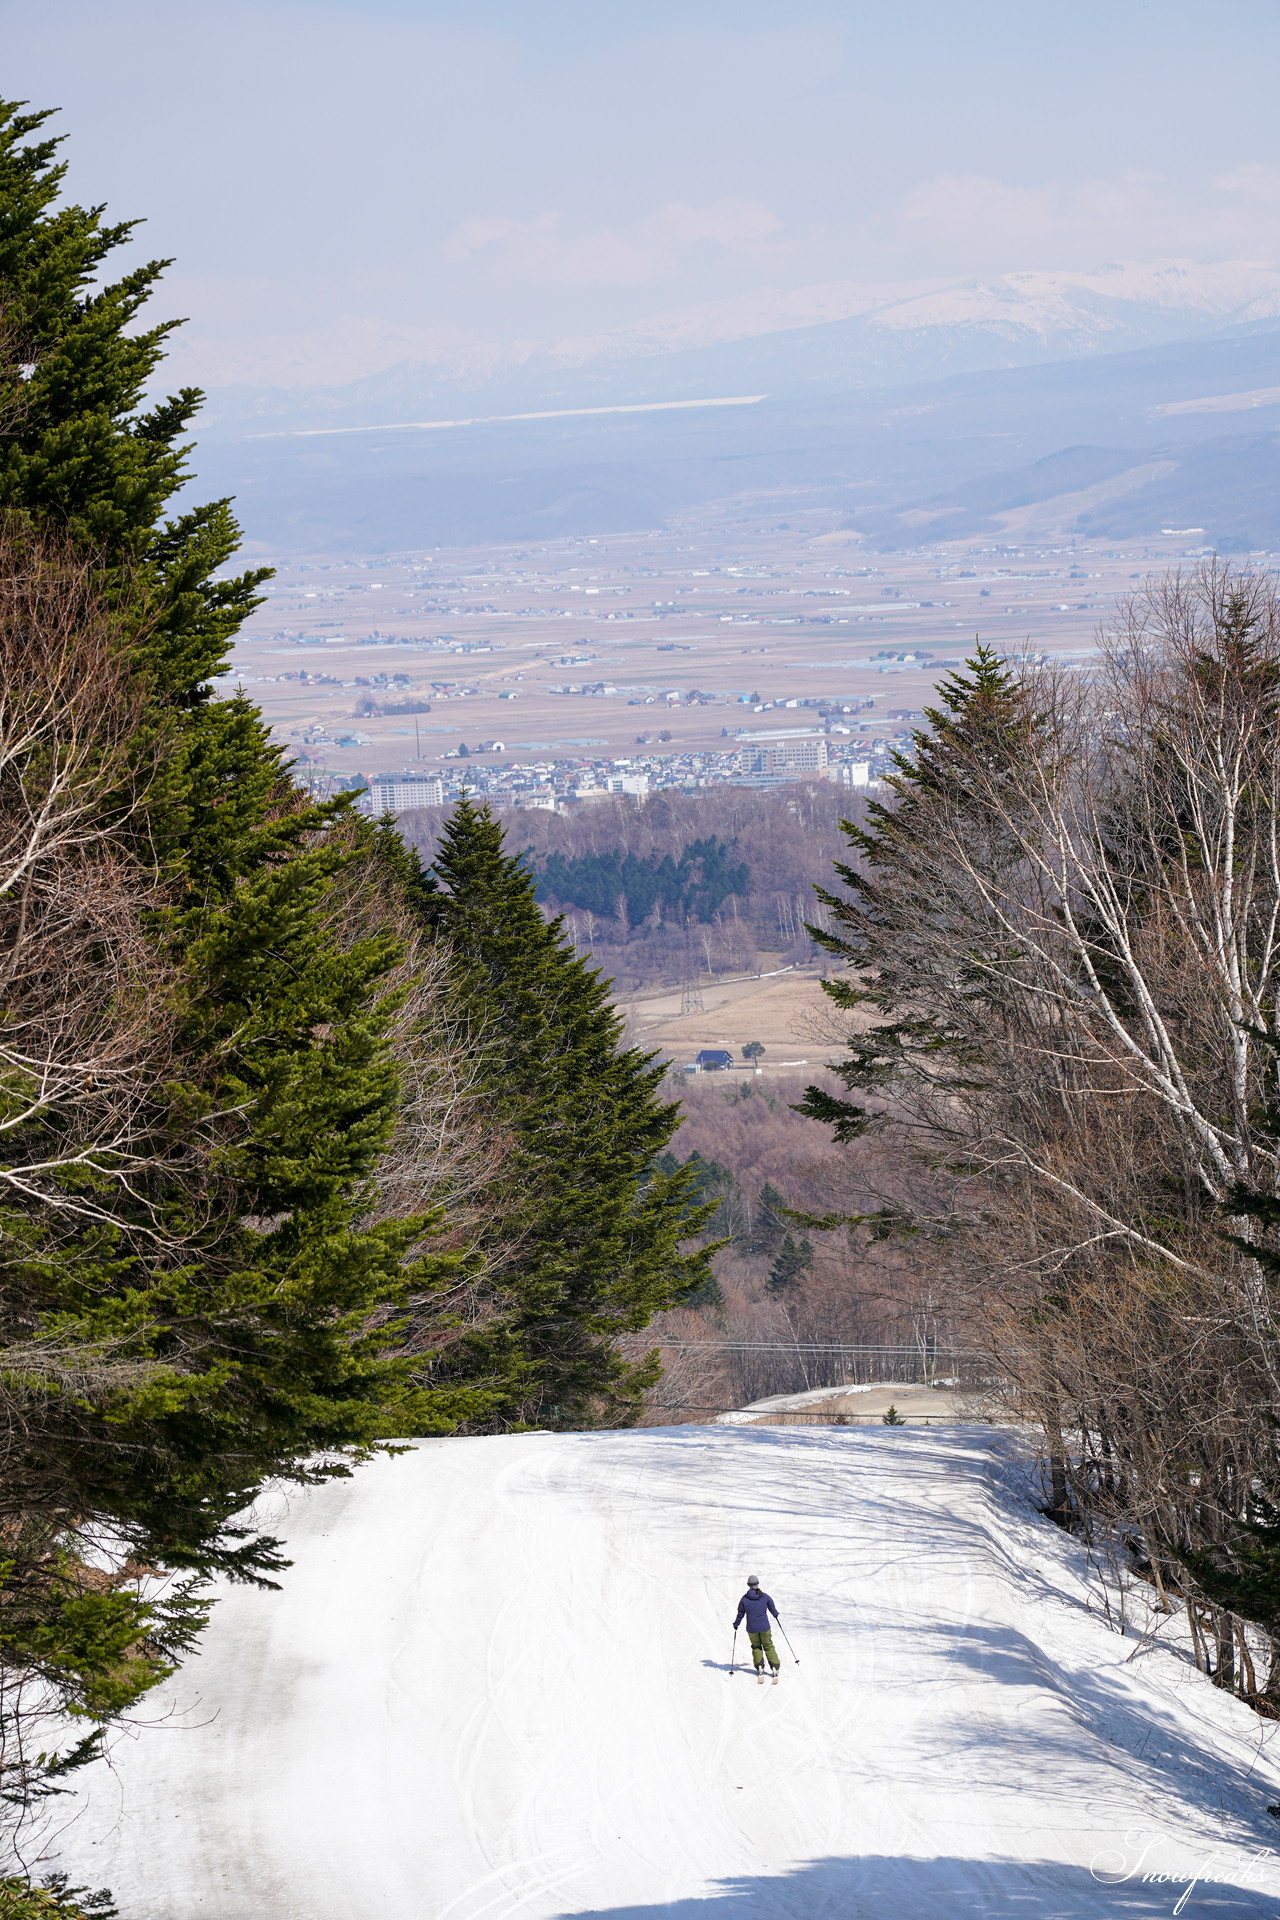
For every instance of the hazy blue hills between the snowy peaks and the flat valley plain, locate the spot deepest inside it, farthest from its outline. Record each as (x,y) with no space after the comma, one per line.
(861,452)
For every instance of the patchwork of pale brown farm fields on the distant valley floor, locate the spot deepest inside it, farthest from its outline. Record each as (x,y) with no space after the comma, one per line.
(676,623)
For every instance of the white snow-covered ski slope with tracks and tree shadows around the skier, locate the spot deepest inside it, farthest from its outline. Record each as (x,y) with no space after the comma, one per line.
(498,1685)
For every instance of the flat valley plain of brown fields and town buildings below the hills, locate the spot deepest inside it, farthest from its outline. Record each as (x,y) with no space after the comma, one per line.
(680,660)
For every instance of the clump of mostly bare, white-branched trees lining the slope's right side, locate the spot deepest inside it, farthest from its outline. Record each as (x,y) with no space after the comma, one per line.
(1068,932)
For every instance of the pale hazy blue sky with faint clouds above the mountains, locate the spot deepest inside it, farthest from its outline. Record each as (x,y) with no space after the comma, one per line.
(344,181)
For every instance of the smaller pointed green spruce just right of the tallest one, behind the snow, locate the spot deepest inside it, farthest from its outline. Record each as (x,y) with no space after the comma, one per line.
(586,1232)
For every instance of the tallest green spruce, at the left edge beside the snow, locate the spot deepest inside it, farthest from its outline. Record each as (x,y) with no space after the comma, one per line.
(216,1303)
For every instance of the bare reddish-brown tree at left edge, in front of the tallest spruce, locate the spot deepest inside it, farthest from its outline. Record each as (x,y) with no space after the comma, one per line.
(85,1019)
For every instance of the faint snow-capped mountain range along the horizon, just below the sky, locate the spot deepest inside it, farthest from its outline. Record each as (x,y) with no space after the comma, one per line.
(832,337)
